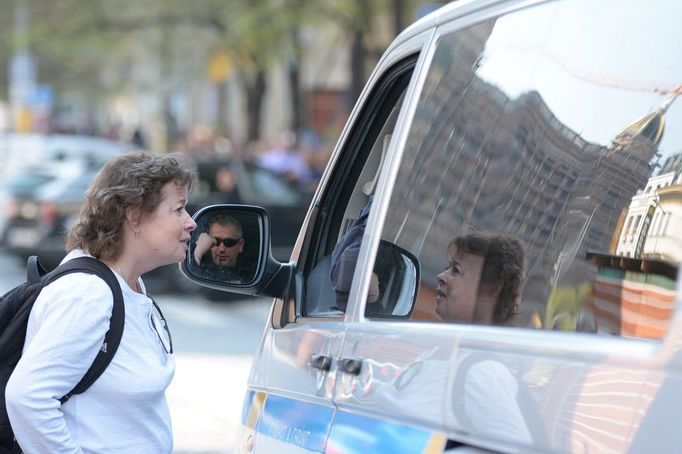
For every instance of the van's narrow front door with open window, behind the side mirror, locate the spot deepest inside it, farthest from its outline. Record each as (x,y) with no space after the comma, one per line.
(290,404)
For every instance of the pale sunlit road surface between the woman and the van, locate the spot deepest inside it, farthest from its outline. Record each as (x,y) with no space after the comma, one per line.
(214,343)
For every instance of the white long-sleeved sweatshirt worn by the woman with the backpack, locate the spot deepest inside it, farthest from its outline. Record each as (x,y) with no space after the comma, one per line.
(125,410)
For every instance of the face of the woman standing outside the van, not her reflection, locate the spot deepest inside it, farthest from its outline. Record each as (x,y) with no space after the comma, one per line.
(166,231)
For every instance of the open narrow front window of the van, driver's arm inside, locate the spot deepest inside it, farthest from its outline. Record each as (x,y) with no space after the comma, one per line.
(349,202)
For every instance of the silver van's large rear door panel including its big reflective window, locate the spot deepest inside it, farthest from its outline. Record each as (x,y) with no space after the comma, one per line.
(537,184)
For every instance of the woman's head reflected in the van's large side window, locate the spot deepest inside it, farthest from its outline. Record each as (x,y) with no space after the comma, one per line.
(482,283)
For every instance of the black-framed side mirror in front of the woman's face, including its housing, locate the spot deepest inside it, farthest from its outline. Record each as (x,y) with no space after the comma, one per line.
(230,250)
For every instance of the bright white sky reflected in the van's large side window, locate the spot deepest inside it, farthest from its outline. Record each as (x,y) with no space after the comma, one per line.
(565,62)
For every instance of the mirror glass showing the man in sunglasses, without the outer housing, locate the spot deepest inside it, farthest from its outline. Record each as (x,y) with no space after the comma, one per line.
(225,248)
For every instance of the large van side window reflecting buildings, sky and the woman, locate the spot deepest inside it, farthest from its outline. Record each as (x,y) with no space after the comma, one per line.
(521,190)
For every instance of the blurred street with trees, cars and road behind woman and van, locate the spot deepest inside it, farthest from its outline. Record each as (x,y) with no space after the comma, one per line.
(254,94)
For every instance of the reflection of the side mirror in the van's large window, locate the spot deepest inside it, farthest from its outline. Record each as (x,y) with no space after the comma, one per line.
(397,274)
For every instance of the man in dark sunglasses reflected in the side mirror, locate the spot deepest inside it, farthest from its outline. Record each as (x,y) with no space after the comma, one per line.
(217,251)
